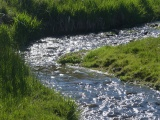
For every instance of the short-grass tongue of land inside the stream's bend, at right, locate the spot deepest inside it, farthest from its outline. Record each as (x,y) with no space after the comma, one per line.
(137,61)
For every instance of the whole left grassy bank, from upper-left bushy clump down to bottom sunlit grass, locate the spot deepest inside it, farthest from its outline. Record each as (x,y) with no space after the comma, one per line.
(22,96)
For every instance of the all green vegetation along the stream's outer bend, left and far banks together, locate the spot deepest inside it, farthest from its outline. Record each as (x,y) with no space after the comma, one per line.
(22,22)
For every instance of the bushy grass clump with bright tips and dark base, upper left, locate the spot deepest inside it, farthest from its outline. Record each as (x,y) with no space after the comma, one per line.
(26,29)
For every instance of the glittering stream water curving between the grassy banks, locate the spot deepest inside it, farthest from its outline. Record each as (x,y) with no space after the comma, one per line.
(99,97)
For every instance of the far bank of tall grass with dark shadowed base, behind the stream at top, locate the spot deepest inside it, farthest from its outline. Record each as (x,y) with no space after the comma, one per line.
(74,16)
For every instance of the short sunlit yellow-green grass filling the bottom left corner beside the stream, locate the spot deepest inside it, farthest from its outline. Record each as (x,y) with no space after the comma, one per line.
(42,103)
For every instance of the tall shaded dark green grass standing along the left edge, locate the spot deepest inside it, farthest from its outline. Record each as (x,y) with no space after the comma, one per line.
(13,72)
